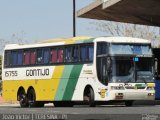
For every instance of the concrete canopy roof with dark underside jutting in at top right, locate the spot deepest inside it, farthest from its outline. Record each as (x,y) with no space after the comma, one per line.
(145,12)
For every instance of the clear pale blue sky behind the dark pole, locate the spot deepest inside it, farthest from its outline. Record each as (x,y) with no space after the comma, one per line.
(37,20)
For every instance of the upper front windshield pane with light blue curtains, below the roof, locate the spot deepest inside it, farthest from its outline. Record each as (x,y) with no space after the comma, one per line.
(130,49)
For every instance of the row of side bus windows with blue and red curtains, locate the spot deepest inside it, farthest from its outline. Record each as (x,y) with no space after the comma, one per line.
(72,53)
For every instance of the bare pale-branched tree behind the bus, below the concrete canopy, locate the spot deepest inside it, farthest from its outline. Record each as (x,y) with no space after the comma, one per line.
(129,30)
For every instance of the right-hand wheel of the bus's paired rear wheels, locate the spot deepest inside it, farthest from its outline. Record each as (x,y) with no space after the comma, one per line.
(32,98)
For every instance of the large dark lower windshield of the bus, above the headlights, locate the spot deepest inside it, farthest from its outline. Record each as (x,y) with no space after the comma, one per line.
(127,70)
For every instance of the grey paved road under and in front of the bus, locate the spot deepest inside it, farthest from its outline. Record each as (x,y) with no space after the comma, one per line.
(110,112)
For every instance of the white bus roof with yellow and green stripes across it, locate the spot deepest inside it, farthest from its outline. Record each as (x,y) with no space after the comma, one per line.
(76,40)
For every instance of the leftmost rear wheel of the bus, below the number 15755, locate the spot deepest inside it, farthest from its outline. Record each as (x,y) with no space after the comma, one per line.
(23,101)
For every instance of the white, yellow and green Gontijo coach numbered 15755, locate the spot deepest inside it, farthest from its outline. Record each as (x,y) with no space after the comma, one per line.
(82,69)
